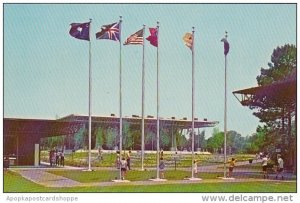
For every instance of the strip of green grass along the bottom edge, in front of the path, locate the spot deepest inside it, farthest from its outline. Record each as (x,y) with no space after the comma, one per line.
(15,183)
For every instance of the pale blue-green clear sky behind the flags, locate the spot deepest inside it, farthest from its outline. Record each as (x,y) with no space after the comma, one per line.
(46,70)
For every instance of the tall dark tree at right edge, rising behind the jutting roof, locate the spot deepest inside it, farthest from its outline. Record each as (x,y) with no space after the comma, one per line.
(278,112)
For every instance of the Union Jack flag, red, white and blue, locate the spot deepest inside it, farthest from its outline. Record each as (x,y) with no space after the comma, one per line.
(111,32)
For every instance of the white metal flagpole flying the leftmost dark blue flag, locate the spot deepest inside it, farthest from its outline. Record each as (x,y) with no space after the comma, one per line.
(90,99)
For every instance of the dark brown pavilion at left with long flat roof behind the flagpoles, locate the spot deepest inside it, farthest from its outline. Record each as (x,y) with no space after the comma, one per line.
(22,136)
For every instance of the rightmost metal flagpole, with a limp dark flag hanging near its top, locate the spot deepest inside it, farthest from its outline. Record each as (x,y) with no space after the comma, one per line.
(225,113)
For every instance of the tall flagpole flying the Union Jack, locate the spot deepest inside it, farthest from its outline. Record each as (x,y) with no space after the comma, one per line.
(121,124)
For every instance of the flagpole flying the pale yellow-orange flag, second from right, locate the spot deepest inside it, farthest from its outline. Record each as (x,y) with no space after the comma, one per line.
(193,100)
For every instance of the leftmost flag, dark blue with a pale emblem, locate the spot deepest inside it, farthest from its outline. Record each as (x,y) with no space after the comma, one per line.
(80,31)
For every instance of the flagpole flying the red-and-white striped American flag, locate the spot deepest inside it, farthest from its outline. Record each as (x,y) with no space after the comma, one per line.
(143,99)
